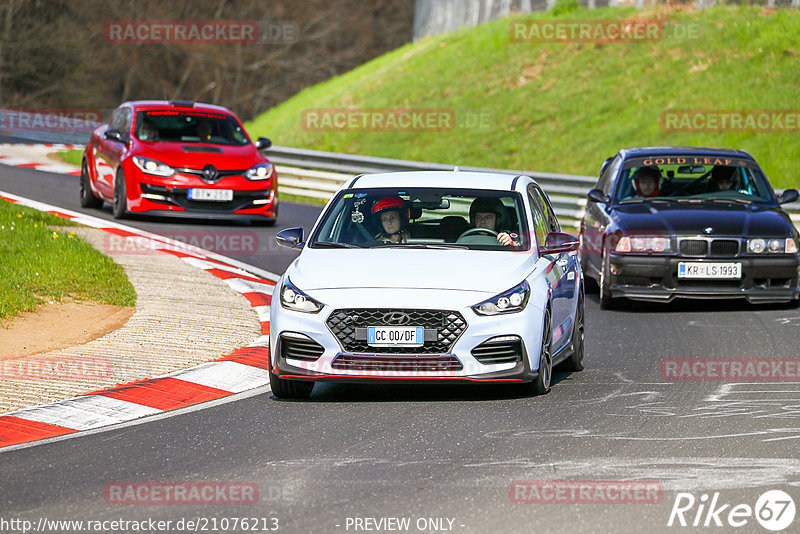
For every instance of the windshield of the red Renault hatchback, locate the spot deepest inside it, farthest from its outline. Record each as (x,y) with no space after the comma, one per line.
(189,127)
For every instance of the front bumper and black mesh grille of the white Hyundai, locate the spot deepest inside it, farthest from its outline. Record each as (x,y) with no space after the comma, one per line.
(326,346)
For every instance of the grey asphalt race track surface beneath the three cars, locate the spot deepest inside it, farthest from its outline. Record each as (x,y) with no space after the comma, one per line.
(445,457)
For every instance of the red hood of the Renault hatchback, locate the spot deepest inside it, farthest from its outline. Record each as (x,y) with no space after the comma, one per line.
(198,155)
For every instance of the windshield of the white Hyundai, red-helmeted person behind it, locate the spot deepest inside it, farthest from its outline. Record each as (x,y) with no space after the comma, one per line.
(423,218)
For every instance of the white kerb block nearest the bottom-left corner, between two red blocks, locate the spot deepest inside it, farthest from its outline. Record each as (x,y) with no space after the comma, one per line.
(84,413)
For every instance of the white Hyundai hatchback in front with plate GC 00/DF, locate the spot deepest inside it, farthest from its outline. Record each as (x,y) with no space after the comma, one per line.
(429,277)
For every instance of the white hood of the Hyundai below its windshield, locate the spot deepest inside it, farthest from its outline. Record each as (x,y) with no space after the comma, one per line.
(463,270)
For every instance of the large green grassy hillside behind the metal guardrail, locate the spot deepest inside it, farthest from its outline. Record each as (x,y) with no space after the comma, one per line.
(557,107)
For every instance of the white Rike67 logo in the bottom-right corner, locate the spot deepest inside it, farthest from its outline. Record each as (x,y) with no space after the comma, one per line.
(774,510)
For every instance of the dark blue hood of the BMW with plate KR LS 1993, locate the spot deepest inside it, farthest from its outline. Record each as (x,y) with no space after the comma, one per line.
(730,220)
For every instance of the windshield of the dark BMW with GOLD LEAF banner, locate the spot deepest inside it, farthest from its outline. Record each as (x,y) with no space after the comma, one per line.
(692,179)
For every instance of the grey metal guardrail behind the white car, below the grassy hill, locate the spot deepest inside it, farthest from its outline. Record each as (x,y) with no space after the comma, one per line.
(318,174)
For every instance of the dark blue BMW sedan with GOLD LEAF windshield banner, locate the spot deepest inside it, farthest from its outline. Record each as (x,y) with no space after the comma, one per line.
(690,222)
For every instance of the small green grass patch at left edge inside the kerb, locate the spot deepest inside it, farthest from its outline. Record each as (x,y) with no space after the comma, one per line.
(41,261)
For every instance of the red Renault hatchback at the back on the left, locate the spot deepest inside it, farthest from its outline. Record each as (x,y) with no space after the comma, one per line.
(178,158)
